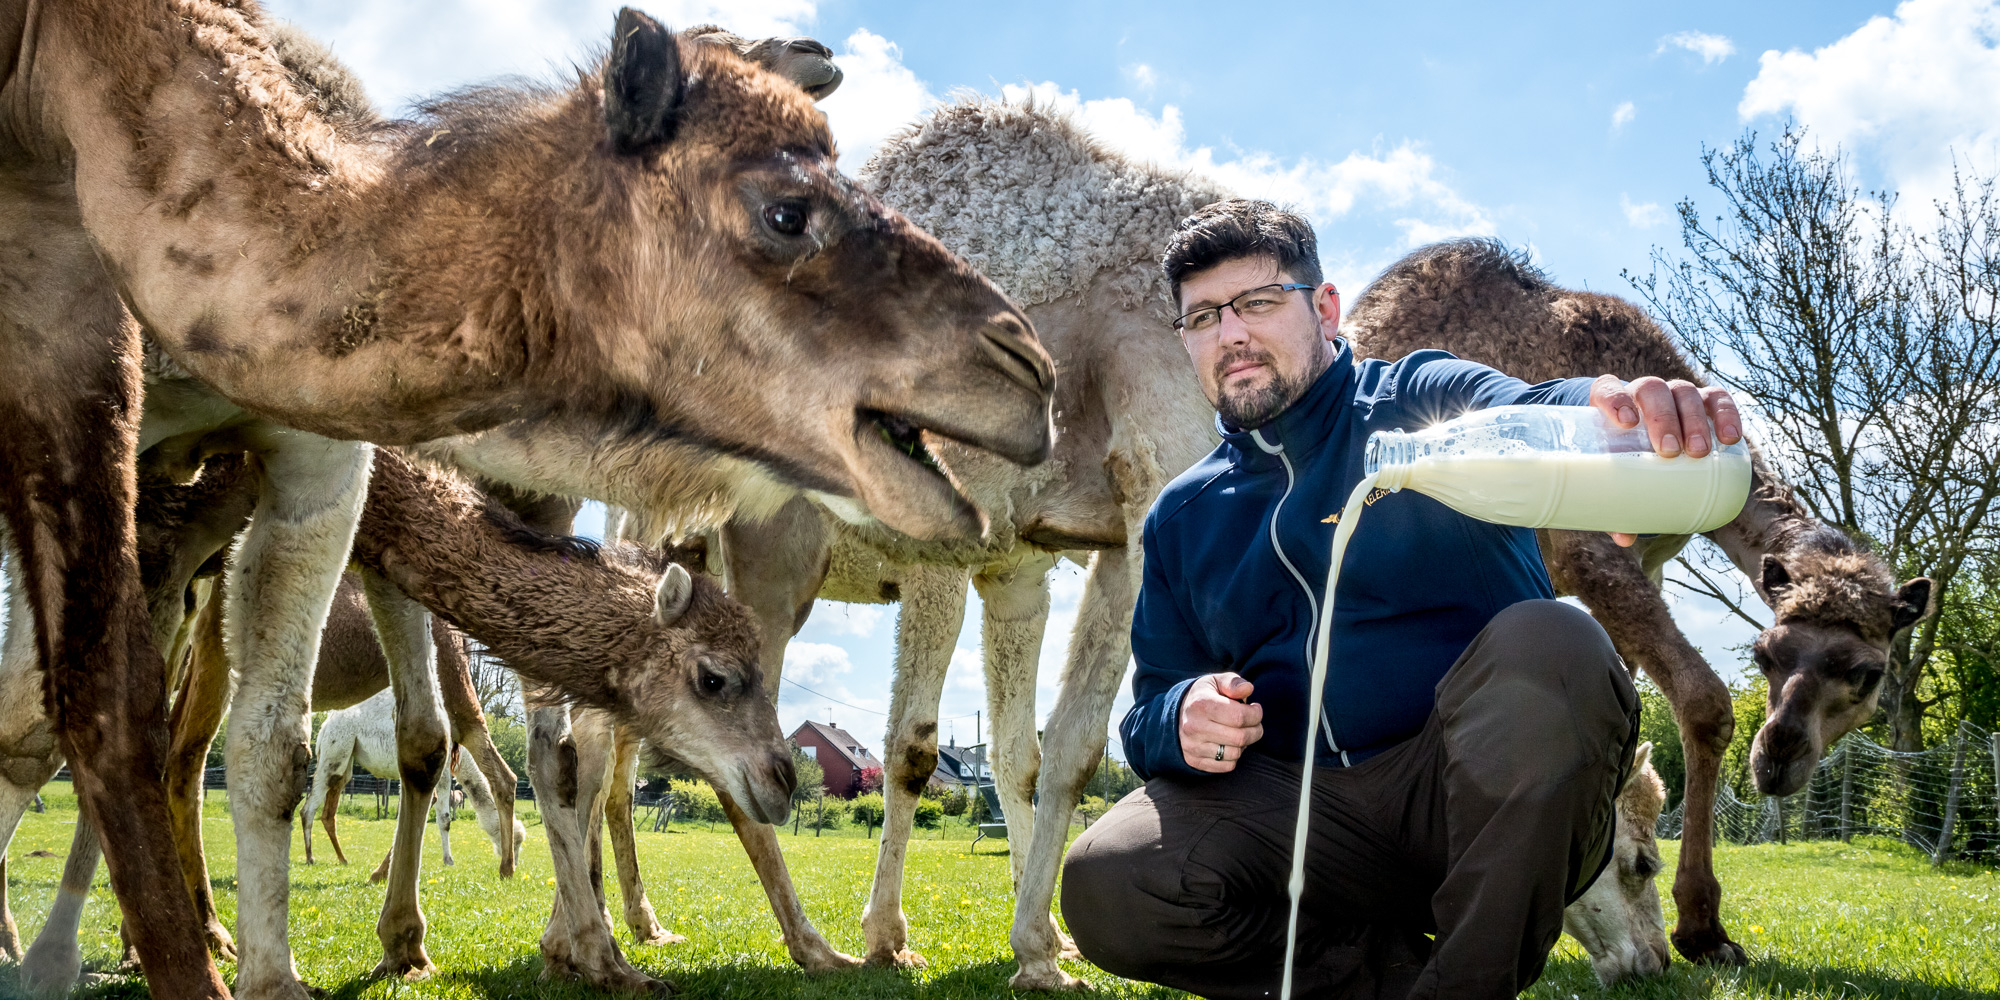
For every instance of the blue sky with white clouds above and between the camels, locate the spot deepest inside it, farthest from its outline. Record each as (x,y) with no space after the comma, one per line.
(1571,129)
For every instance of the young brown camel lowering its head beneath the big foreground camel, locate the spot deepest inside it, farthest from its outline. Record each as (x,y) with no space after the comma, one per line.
(691,685)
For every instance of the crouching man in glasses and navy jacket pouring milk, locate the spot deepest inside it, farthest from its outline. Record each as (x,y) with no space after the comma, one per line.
(1475,729)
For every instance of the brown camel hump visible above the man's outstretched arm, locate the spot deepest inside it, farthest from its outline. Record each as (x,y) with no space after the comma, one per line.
(1489,303)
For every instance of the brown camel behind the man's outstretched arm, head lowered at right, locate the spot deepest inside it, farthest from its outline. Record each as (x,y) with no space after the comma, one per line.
(1837,609)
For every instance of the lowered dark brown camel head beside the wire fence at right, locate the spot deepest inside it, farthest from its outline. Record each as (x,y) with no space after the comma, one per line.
(1837,615)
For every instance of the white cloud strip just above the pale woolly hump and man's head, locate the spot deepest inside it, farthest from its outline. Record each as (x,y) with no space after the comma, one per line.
(1397,179)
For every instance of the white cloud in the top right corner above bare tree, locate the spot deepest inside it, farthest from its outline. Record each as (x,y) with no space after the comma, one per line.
(1905,91)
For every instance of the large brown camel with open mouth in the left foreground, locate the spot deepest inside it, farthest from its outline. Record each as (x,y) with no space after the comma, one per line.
(421,281)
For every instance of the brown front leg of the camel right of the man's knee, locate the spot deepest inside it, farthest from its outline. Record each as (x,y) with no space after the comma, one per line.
(1619,595)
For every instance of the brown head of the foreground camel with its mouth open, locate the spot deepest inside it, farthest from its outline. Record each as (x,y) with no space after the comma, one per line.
(715,285)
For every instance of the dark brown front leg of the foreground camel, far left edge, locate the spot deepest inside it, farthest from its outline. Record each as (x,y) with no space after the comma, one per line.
(67,489)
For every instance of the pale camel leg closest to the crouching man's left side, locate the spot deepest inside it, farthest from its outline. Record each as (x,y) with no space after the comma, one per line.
(1101,645)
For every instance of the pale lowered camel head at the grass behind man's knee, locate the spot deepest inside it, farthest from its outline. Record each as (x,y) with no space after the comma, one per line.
(1619,917)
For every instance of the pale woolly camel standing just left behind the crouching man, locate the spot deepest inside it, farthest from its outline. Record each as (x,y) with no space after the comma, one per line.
(1073,233)
